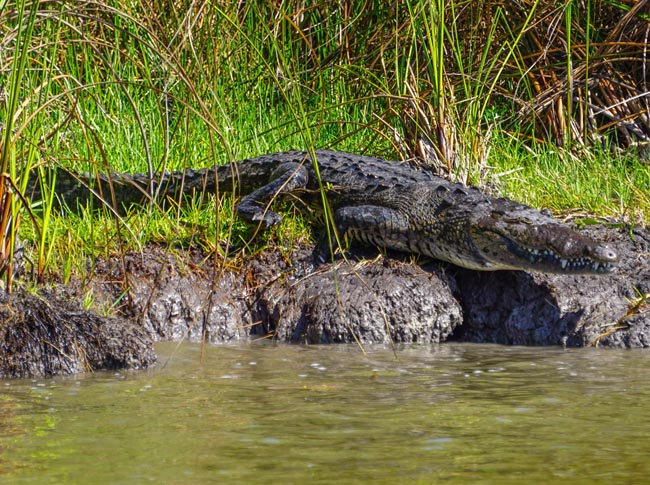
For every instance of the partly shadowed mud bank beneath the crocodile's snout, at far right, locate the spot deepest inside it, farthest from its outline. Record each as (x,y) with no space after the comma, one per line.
(518,308)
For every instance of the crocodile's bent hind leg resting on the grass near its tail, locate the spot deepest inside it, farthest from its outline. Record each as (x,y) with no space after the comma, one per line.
(254,208)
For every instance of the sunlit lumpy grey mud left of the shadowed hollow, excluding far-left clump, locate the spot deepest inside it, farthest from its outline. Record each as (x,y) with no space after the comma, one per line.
(282,297)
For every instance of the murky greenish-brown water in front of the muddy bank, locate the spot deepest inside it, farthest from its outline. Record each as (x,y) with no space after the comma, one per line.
(326,414)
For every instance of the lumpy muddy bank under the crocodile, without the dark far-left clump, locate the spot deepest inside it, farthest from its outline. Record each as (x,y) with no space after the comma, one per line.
(383,299)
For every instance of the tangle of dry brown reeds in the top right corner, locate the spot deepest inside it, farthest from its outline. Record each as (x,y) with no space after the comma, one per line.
(588,74)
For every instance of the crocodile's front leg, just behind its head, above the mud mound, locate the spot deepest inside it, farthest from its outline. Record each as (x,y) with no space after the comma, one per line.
(371,225)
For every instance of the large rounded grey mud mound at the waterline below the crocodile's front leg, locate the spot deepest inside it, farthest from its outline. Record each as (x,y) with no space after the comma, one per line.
(368,302)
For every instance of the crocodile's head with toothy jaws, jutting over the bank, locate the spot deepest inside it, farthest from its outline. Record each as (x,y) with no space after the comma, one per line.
(525,239)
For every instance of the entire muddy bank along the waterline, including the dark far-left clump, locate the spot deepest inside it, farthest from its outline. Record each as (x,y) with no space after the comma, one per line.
(181,295)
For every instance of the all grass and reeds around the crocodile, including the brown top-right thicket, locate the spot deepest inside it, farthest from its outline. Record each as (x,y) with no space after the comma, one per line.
(542,102)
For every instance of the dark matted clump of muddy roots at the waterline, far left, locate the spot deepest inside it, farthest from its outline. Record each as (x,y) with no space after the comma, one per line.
(49,334)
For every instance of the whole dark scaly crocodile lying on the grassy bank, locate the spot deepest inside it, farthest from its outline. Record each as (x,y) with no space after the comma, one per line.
(391,205)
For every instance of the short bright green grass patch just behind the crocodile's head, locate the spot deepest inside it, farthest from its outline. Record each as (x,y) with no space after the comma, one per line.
(594,183)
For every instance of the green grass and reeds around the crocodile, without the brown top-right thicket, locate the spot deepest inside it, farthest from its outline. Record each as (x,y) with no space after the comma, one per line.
(132,91)
